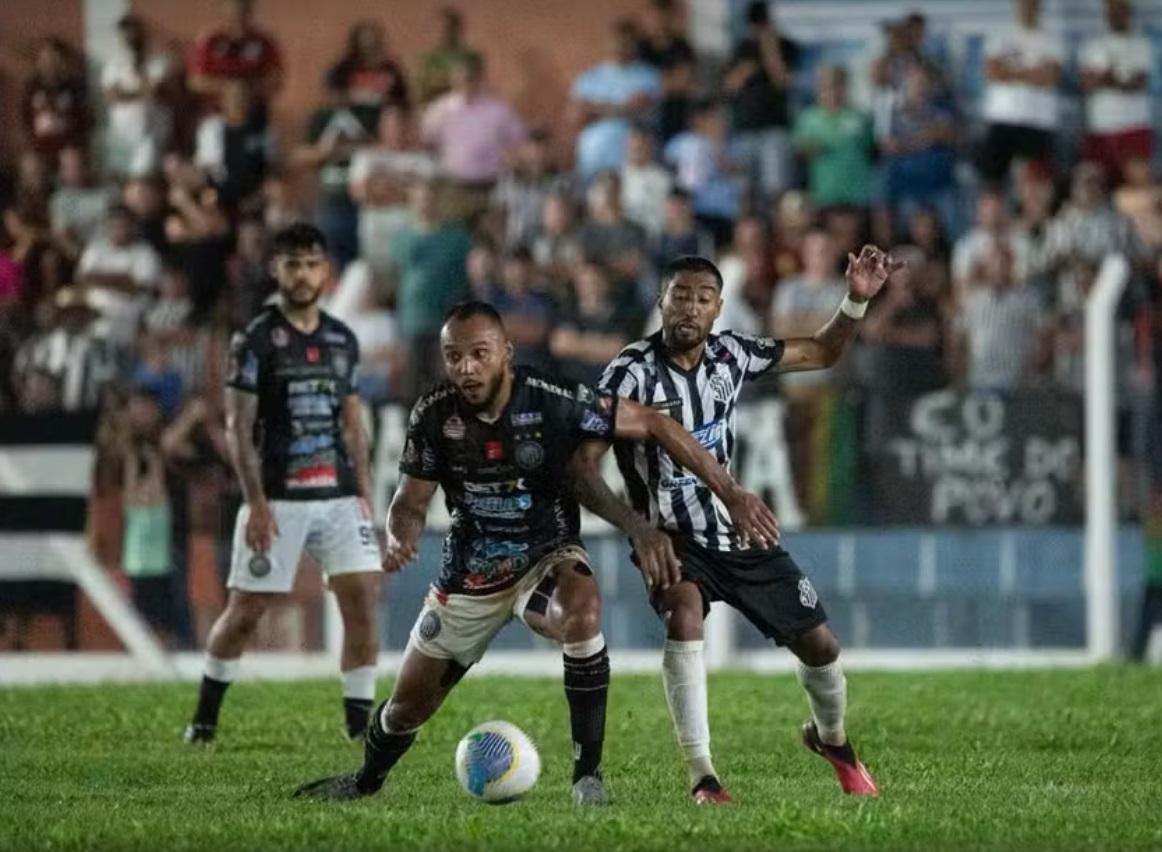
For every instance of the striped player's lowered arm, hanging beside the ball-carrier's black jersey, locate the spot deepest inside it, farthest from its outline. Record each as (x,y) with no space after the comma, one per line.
(654,549)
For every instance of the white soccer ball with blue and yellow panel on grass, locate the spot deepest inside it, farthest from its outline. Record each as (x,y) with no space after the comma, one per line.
(497,763)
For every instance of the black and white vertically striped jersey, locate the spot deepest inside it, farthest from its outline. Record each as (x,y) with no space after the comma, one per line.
(705,400)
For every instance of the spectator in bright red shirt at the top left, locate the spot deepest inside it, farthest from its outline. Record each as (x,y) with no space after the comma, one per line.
(238,53)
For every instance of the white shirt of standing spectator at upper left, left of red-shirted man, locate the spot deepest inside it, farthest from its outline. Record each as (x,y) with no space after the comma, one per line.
(139,130)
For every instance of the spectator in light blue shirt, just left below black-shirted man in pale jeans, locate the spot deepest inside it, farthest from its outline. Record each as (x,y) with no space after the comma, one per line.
(702,162)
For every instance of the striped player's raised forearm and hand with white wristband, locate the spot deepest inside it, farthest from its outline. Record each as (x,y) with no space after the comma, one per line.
(866,276)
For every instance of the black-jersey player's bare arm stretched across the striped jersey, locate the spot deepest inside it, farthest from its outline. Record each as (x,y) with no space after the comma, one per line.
(637,423)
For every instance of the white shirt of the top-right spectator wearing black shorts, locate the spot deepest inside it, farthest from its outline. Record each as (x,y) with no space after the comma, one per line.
(1018,103)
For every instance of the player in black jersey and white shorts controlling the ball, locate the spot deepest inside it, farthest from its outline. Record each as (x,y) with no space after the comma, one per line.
(500,441)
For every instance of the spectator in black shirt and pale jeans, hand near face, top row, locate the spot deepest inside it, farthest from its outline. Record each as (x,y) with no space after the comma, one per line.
(759,82)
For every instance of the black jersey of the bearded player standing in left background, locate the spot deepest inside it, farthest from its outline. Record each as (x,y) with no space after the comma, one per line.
(302,382)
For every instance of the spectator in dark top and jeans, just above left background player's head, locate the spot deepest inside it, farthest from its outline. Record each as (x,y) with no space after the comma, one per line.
(335,134)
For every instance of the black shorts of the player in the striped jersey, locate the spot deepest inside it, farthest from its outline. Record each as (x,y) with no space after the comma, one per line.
(766,586)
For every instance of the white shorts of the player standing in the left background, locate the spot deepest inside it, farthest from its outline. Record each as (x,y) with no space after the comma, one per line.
(336,533)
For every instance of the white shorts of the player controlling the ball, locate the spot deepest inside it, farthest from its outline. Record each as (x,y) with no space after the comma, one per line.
(462,627)
